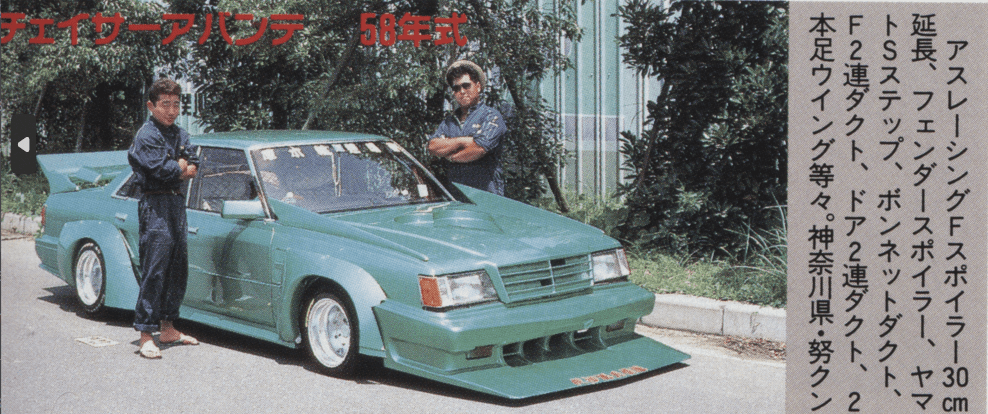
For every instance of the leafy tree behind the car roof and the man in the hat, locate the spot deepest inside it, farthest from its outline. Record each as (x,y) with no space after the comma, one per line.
(326,79)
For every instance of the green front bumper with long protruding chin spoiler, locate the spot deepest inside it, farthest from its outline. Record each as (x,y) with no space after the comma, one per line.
(534,348)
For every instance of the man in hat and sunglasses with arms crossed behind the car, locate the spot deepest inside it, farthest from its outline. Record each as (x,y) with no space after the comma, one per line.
(469,139)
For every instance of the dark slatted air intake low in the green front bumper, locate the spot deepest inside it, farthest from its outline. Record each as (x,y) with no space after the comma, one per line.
(553,347)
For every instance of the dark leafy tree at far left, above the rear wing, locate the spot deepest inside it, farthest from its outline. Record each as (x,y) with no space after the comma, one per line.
(85,96)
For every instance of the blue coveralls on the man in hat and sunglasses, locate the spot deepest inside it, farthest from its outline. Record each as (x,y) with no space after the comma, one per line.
(486,126)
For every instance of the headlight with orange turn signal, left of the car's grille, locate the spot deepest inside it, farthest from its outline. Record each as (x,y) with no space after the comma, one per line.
(440,292)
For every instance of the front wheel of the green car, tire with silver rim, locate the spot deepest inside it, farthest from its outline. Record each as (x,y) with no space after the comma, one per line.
(330,332)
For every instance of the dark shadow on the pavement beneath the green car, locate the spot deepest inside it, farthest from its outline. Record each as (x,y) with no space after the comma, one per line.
(371,372)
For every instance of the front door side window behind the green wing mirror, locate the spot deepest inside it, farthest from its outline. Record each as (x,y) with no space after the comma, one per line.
(223,175)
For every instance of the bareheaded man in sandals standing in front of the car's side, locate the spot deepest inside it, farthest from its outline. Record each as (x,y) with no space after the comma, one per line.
(163,160)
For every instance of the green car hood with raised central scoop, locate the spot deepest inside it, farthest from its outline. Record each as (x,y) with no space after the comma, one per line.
(459,235)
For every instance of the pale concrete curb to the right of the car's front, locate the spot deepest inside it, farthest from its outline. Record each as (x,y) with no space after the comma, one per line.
(717,317)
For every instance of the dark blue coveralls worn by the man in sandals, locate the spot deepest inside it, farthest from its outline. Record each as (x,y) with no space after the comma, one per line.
(154,157)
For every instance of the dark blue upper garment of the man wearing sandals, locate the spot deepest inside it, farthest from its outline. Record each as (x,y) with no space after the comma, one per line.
(154,156)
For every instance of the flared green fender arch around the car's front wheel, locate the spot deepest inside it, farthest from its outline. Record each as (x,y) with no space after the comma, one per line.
(303,268)
